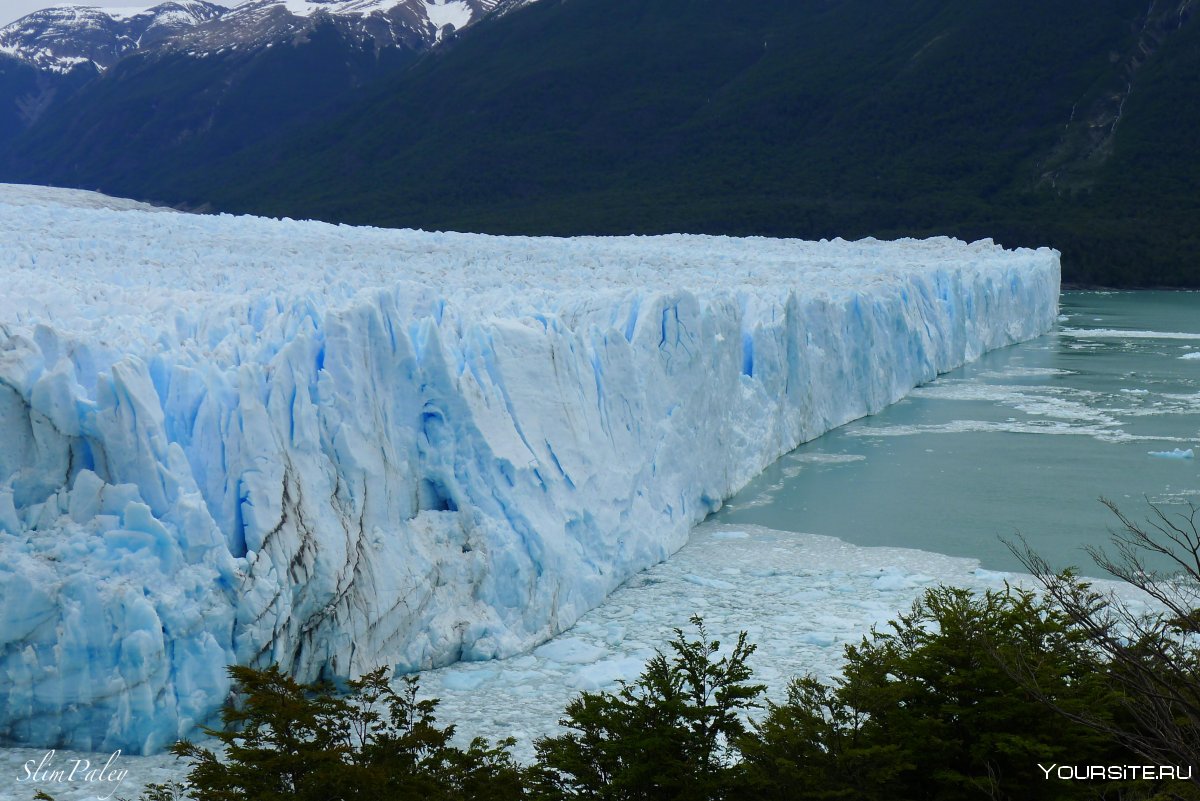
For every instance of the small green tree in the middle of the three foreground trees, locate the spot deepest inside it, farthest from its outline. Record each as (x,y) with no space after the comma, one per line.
(673,734)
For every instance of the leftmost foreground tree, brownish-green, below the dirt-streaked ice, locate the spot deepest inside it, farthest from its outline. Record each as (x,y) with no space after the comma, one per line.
(305,743)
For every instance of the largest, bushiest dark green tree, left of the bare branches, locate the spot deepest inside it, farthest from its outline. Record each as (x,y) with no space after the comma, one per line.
(927,709)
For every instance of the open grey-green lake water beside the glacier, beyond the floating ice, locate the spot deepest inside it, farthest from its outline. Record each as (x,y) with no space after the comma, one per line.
(1023,442)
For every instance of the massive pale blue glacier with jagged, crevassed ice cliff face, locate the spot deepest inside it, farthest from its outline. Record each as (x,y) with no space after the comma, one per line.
(251,441)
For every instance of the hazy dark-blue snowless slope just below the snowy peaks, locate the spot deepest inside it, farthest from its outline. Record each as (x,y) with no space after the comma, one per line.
(155,113)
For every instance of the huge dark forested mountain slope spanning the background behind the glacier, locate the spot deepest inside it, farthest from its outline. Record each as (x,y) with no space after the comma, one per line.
(1067,124)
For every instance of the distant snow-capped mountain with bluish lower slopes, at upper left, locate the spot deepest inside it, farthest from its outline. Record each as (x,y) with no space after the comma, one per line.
(188,82)
